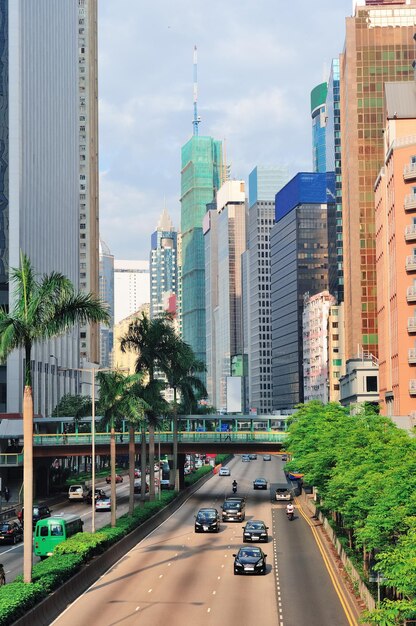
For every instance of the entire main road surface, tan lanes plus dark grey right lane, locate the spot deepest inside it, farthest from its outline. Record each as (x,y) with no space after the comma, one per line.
(177,577)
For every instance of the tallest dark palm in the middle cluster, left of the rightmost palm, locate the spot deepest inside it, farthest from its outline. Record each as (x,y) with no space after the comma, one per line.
(150,339)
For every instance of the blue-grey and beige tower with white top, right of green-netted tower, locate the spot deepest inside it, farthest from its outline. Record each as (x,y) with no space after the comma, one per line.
(225,241)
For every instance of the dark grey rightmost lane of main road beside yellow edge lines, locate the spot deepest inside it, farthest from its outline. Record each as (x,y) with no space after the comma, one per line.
(307,593)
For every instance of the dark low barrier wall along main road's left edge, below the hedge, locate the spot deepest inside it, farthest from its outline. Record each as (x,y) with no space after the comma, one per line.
(51,607)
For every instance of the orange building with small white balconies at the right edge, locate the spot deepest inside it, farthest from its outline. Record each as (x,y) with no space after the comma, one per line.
(395,195)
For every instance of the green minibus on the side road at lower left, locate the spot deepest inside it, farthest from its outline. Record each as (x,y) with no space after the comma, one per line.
(53,530)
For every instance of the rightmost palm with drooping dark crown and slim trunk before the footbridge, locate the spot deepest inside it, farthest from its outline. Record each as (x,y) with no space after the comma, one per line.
(181,367)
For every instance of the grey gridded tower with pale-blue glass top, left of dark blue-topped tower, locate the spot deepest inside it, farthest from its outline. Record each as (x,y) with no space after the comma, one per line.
(264,182)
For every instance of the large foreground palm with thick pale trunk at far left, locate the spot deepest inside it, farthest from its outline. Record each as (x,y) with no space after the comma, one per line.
(43,308)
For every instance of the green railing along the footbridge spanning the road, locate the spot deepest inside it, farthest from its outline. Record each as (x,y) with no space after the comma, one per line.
(165,437)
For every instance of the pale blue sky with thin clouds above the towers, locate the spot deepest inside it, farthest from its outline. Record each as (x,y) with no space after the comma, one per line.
(258,61)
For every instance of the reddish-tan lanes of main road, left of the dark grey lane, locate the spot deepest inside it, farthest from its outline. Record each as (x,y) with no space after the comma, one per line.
(176,568)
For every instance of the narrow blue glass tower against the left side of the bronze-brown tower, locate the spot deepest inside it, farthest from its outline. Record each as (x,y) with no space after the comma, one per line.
(333,164)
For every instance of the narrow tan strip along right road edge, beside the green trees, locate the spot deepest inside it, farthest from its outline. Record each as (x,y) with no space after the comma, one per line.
(355,604)
